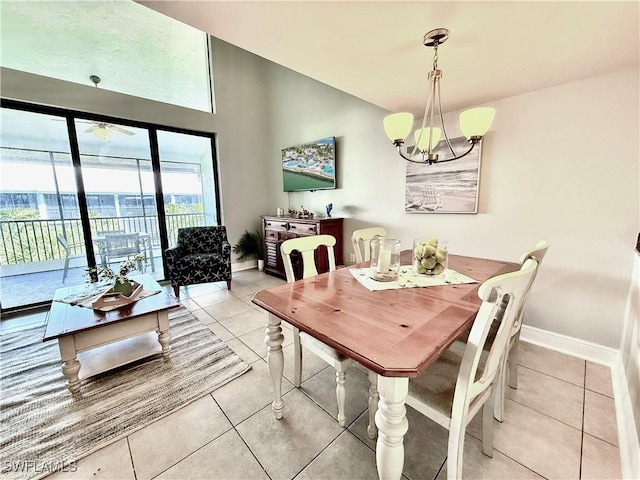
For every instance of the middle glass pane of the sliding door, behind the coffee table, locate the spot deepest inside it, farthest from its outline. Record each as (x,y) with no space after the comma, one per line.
(120,190)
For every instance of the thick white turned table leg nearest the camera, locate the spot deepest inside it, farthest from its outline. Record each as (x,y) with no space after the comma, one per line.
(391,420)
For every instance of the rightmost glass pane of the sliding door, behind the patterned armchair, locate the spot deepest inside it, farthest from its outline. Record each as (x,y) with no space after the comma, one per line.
(188,182)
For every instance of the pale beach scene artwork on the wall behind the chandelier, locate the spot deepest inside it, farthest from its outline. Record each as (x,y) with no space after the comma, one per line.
(449,187)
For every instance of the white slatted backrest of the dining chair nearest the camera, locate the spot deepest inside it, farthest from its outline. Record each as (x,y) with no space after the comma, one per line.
(501,297)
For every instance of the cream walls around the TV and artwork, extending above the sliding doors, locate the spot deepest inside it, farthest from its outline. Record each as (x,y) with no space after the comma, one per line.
(559,164)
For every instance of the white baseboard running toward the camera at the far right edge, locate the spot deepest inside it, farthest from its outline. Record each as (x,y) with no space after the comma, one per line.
(627,433)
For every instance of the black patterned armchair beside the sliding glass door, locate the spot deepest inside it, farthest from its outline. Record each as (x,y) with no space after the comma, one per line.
(201,255)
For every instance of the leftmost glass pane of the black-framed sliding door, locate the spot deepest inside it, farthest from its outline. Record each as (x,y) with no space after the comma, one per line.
(41,237)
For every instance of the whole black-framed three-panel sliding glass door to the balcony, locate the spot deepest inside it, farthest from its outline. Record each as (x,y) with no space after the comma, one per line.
(69,183)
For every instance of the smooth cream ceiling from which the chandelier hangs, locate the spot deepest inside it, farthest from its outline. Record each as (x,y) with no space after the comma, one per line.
(373,49)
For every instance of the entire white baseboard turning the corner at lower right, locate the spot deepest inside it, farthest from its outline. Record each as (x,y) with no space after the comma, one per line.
(628,441)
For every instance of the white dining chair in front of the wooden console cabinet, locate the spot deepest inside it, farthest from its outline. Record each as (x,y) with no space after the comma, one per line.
(306,247)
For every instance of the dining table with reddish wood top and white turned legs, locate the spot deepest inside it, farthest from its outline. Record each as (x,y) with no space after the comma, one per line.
(395,333)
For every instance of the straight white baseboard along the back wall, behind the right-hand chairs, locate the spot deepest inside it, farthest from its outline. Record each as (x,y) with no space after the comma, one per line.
(571,346)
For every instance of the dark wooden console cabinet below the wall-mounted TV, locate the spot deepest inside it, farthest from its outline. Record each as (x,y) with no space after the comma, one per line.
(276,230)
